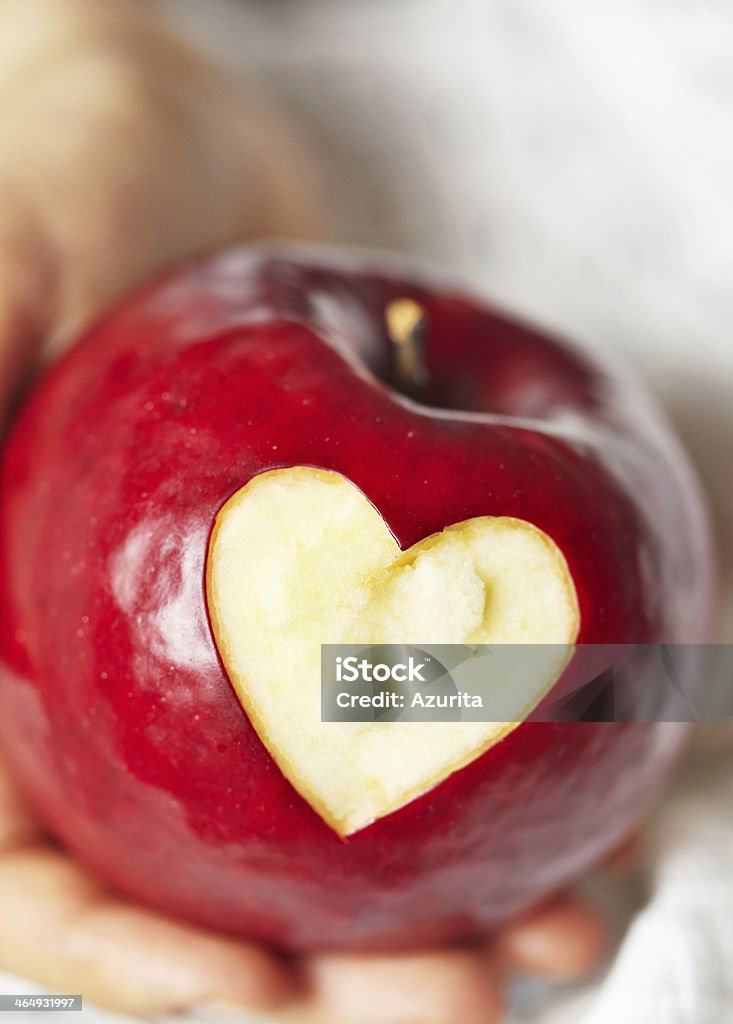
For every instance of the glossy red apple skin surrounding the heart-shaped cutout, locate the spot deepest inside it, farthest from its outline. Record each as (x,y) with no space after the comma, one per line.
(116,711)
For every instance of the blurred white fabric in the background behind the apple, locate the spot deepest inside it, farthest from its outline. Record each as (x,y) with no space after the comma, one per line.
(576,161)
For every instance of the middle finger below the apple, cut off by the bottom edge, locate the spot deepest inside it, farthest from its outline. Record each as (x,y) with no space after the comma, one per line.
(441,988)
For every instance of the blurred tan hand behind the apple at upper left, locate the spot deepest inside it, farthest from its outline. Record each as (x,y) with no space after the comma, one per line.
(154,155)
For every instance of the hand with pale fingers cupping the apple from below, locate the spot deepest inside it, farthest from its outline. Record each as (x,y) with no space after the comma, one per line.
(63,928)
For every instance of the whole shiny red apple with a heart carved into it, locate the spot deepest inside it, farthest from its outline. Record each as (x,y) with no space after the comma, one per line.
(226,474)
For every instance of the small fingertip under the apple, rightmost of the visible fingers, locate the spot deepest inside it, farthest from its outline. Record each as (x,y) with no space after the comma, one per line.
(563,941)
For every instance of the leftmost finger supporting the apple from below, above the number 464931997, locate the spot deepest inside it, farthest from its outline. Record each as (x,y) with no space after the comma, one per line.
(61,928)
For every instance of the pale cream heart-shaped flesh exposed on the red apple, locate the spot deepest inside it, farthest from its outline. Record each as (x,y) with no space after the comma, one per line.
(299,558)
